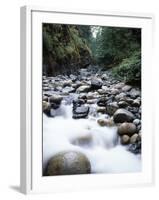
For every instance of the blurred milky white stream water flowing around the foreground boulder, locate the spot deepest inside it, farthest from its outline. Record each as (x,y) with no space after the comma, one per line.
(100,144)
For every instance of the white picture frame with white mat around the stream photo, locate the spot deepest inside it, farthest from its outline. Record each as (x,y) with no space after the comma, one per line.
(31,141)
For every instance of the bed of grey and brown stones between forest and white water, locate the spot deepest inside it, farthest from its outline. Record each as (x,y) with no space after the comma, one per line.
(93,92)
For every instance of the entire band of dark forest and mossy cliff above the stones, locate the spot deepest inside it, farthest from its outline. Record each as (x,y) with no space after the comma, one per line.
(67,48)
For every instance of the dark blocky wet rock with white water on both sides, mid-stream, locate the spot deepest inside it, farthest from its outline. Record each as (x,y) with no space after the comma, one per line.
(80,112)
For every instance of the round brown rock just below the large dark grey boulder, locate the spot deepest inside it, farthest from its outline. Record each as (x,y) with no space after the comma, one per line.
(127,128)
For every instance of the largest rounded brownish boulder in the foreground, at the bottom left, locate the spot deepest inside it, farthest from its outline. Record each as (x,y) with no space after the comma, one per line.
(68,163)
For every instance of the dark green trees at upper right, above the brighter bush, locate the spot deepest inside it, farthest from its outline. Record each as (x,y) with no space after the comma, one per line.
(114,44)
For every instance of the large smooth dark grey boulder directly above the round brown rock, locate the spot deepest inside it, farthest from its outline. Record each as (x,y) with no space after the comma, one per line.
(123,115)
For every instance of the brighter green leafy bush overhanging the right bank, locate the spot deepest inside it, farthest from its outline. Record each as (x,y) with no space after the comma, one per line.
(129,69)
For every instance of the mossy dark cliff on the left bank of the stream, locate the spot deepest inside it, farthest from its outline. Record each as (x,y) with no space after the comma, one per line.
(65,48)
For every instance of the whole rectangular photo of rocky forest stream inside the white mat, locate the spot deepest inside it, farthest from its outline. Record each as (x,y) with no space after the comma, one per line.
(91,99)
